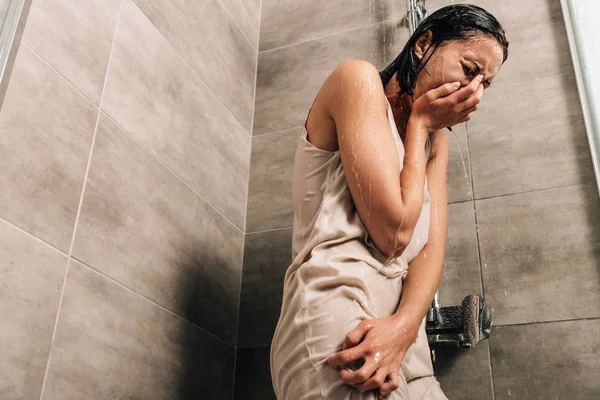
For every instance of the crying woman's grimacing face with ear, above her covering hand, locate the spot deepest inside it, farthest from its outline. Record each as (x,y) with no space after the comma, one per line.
(457,60)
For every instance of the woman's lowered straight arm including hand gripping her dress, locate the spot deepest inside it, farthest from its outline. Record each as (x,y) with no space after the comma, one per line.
(383,342)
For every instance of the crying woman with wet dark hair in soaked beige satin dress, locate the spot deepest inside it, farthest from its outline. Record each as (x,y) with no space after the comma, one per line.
(369,192)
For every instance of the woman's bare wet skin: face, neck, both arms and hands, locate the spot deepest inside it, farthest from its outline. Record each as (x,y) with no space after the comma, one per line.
(447,93)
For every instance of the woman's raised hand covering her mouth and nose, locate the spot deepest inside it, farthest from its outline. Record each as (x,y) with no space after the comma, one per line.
(447,105)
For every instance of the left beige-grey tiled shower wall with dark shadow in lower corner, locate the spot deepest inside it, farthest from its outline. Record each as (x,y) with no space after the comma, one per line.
(125,151)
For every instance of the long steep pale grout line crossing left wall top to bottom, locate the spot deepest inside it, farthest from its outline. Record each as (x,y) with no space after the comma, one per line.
(64,284)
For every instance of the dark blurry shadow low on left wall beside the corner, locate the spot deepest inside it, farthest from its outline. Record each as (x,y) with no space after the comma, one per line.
(206,363)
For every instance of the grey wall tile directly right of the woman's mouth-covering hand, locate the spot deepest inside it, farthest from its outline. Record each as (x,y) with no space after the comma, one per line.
(529,136)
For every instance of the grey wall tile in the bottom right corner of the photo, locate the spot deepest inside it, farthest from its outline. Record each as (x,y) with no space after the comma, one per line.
(558,360)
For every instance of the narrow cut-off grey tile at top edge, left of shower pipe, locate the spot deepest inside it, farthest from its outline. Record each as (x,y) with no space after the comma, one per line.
(285,22)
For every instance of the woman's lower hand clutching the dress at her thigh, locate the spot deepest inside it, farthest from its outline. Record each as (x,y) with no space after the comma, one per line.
(381,344)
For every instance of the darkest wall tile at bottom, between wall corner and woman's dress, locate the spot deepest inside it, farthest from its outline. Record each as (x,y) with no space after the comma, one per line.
(252,375)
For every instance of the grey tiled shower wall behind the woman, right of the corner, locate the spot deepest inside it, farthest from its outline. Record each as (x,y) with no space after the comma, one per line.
(524,218)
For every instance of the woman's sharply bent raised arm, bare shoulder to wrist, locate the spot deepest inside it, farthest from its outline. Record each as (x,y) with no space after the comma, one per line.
(388,203)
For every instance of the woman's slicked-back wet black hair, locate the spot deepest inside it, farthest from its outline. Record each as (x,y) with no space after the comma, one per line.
(453,22)
